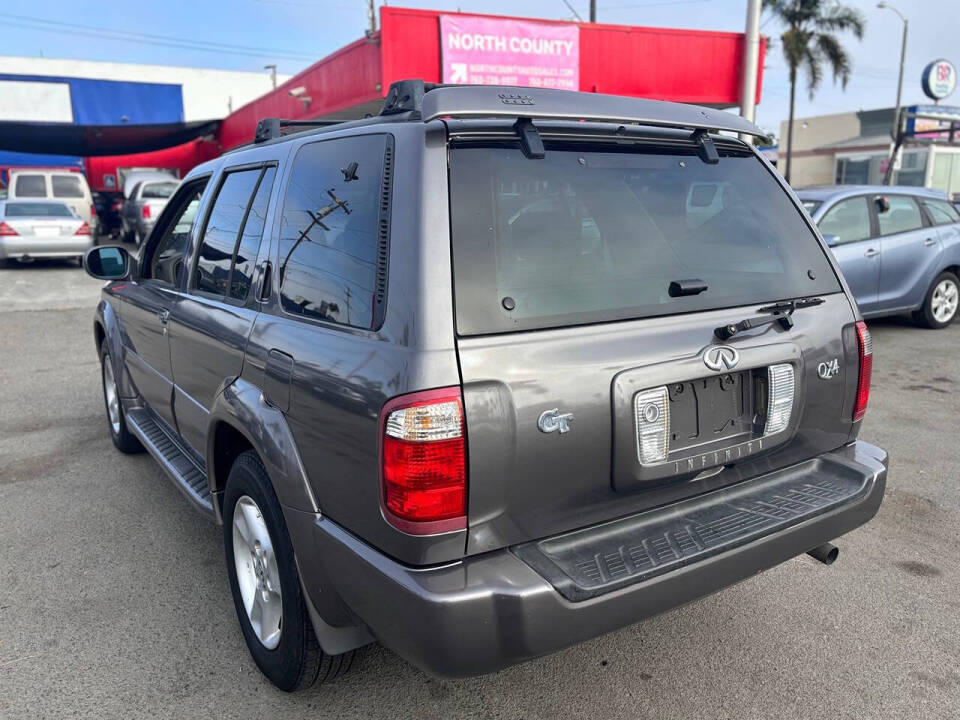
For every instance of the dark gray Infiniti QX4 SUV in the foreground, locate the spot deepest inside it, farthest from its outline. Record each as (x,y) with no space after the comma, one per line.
(479,412)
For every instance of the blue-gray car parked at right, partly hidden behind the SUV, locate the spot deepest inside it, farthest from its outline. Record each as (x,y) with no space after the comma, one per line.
(898,247)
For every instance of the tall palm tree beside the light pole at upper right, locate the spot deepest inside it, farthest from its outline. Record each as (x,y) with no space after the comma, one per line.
(809,41)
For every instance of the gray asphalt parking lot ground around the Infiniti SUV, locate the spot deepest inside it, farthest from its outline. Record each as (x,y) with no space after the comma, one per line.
(114,599)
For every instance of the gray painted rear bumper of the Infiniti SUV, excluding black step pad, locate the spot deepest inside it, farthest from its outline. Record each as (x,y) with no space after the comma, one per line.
(493,610)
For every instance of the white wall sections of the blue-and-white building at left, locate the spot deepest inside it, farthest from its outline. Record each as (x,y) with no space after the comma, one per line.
(207,94)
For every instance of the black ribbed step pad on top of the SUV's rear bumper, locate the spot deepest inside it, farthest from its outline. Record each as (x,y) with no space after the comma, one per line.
(589,562)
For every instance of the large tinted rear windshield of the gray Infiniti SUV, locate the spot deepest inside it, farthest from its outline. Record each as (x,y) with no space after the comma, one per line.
(588,236)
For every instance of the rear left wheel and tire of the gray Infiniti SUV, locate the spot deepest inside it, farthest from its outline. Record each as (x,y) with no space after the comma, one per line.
(266,586)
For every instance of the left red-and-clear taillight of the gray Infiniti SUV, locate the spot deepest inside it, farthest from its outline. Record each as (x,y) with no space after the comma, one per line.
(423,462)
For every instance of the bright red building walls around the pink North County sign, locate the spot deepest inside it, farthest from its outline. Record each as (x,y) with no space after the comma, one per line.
(692,66)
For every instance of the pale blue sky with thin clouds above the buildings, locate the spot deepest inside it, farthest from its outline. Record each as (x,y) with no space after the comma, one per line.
(247,34)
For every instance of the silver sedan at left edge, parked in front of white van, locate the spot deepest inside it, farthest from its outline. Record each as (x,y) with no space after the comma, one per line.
(30,230)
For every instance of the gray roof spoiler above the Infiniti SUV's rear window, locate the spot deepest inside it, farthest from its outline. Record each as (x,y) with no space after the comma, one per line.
(478,101)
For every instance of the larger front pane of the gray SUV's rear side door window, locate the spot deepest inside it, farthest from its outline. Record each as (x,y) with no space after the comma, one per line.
(212,273)
